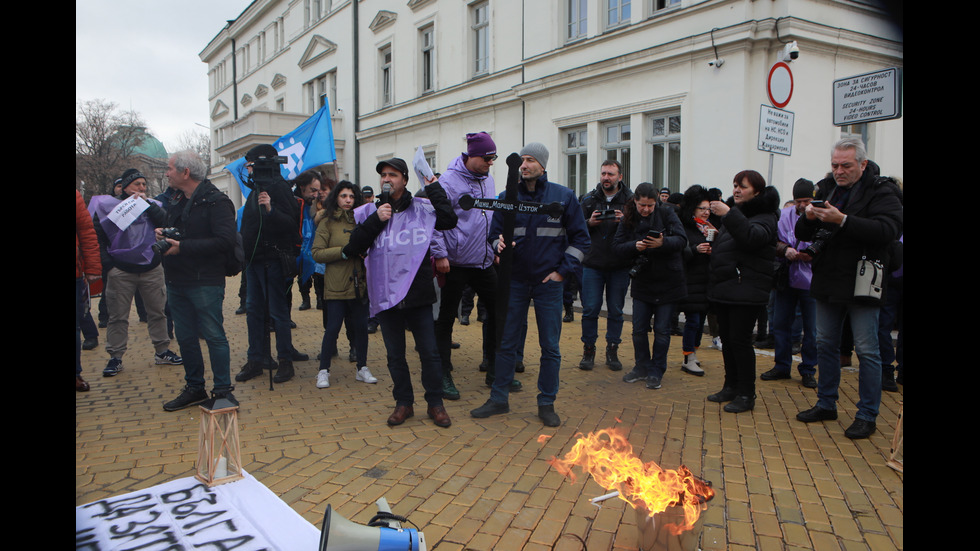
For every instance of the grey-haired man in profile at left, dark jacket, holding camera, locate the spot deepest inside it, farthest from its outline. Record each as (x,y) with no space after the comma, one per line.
(195,267)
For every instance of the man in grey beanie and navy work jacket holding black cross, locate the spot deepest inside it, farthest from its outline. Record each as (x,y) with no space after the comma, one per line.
(546,251)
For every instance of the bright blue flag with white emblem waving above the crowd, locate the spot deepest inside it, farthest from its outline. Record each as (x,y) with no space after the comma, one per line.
(310,145)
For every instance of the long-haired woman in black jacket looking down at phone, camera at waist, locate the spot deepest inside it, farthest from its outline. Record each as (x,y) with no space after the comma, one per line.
(652,237)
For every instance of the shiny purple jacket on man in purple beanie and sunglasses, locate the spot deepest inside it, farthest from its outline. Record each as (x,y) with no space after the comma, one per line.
(466,245)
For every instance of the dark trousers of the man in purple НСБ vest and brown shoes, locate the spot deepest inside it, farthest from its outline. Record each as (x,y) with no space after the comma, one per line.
(394,322)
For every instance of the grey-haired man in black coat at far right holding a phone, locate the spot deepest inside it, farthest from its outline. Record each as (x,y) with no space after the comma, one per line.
(853,222)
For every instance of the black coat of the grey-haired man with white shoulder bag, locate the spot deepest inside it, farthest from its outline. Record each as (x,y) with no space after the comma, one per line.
(875,220)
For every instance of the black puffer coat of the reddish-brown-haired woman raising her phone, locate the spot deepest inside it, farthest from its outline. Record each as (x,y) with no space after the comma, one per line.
(741,268)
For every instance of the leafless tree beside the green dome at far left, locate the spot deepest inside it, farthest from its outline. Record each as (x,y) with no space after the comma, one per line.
(105,137)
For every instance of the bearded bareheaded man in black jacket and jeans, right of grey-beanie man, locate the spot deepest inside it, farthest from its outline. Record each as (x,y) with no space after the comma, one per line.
(604,272)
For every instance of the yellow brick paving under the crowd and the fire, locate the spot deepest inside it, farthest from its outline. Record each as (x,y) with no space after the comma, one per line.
(486,483)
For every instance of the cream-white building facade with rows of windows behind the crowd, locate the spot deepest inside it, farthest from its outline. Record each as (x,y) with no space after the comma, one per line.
(634,80)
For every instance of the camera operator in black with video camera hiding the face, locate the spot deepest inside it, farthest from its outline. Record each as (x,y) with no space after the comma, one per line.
(271,238)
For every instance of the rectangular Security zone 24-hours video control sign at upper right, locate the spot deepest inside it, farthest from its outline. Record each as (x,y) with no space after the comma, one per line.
(868,97)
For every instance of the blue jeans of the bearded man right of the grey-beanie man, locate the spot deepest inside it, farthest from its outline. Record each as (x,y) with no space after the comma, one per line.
(614,283)
